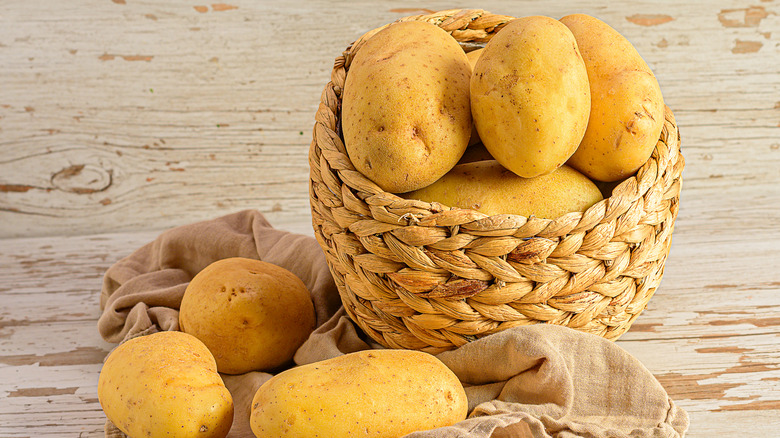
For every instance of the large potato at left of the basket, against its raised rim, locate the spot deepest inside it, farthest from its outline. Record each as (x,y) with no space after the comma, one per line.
(406,118)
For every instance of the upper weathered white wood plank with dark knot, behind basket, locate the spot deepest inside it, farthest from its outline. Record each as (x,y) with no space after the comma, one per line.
(117,115)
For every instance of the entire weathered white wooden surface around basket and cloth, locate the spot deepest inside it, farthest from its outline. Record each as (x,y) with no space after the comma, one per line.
(121,118)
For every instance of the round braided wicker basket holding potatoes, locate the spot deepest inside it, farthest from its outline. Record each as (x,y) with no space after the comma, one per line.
(422,276)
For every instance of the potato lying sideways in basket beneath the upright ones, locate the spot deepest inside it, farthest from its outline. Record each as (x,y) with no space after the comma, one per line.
(488,187)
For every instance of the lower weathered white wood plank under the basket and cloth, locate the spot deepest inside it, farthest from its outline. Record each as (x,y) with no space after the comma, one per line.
(710,339)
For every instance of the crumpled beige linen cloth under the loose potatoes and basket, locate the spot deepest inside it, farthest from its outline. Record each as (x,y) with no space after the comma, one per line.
(535,381)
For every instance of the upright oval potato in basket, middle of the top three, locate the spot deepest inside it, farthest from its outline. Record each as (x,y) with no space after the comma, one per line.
(530,97)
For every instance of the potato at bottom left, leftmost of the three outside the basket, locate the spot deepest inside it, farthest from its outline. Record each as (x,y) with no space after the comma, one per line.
(165,385)
